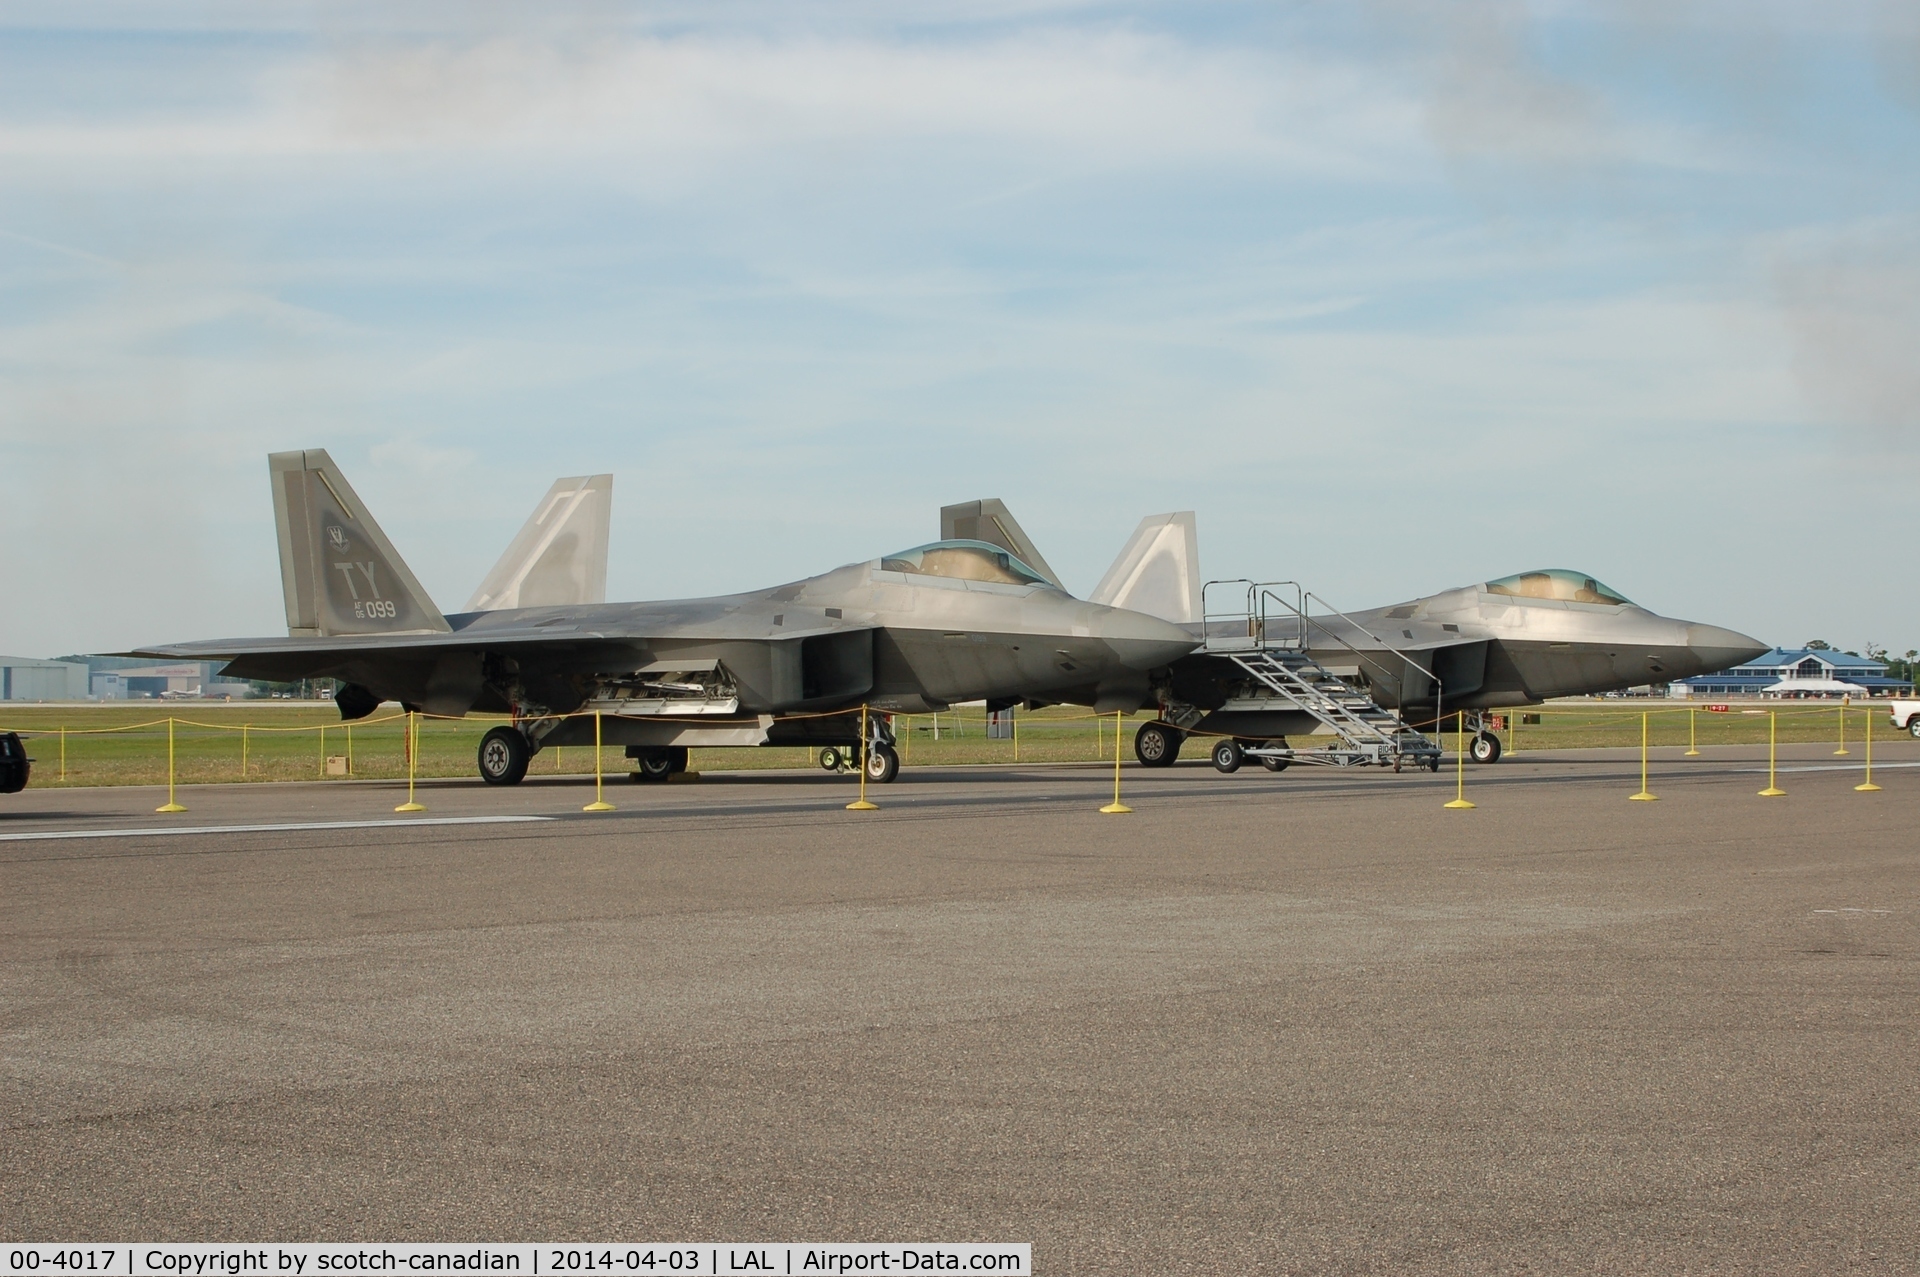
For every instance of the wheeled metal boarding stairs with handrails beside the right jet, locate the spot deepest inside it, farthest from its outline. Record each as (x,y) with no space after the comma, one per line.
(1268,640)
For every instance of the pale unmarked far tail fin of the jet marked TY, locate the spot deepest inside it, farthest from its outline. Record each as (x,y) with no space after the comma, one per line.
(560,556)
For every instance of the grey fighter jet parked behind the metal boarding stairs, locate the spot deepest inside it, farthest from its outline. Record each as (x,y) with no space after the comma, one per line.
(1508,642)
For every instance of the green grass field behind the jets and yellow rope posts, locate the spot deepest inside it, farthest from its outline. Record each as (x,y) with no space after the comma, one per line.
(279,740)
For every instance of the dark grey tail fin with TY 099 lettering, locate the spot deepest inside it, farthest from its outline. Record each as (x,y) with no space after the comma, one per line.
(339,571)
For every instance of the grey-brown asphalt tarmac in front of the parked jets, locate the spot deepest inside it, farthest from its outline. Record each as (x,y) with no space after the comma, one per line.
(1287,1024)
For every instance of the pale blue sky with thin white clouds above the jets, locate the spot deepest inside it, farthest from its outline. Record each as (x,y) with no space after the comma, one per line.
(1395,295)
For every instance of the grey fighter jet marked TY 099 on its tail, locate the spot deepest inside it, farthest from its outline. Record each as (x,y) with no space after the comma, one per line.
(961,619)
